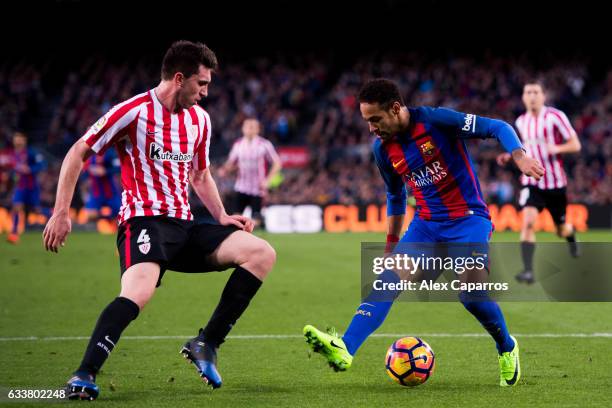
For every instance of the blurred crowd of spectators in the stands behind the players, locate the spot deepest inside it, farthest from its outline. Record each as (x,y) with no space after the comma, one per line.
(308,101)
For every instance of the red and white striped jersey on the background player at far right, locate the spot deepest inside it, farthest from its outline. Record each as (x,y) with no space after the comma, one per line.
(550,127)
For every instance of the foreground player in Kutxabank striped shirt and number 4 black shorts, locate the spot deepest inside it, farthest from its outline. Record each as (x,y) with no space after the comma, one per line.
(163,137)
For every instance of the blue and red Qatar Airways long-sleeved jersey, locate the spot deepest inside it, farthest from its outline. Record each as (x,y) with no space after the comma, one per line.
(432,159)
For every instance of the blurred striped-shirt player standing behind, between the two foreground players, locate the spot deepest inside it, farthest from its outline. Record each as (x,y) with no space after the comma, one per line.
(251,155)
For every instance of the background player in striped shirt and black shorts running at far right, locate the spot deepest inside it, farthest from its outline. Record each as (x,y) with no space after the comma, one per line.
(547,135)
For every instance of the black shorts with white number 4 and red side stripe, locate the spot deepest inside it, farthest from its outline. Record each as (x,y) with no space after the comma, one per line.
(175,244)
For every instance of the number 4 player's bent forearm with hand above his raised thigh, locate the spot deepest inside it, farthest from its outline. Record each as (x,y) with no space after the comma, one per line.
(206,188)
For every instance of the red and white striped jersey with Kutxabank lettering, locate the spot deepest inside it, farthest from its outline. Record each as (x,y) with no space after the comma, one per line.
(157,149)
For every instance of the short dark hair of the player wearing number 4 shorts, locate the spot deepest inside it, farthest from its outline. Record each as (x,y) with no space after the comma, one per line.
(186,57)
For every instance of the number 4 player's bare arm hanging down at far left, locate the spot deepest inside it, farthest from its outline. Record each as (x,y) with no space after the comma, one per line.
(59,226)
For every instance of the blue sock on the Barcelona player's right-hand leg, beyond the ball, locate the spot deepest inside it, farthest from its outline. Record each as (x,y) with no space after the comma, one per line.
(488,313)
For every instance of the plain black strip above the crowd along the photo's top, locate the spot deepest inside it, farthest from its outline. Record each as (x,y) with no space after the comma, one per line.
(69,30)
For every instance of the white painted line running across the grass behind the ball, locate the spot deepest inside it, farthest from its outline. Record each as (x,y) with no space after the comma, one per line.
(298,336)
